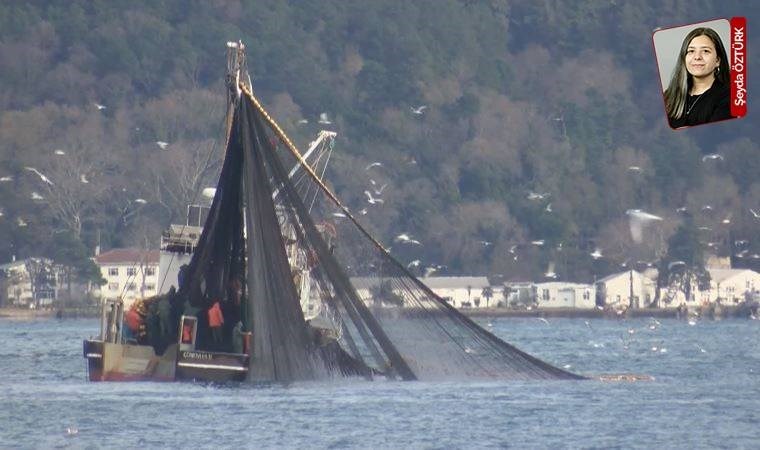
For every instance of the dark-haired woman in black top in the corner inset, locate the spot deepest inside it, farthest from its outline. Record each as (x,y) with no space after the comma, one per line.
(698,91)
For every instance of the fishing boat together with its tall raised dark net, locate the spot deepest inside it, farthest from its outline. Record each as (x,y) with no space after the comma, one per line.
(264,289)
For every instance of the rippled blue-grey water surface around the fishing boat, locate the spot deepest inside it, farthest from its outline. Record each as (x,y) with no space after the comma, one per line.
(705,395)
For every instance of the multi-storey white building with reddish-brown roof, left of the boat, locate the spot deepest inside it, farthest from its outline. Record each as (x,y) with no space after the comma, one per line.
(129,273)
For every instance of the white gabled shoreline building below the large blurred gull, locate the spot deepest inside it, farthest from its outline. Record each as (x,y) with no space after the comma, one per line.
(615,289)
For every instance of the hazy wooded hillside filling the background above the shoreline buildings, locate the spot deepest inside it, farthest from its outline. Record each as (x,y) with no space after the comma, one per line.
(120,105)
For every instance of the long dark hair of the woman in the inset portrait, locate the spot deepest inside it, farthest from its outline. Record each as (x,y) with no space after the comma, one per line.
(681,81)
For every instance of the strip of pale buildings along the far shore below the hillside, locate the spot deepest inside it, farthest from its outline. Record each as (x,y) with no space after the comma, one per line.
(130,274)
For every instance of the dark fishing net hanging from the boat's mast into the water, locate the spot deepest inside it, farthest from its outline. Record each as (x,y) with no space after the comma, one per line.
(320,296)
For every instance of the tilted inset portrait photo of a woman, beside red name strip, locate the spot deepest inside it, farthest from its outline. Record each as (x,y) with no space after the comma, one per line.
(694,63)
